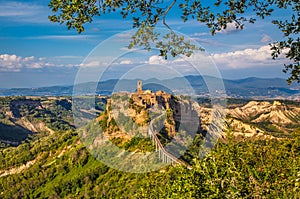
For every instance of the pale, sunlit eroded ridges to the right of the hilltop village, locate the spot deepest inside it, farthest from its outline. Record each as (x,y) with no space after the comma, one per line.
(259,119)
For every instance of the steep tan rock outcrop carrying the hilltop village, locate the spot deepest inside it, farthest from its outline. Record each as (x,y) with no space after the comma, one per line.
(129,114)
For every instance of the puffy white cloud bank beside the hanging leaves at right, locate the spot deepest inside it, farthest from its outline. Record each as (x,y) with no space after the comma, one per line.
(248,58)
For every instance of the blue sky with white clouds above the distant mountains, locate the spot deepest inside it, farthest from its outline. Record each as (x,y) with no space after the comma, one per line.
(35,52)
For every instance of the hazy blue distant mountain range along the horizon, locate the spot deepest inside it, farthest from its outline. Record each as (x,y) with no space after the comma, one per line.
(242,88)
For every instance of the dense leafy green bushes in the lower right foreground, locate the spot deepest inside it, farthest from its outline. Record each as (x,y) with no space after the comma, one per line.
(267,169)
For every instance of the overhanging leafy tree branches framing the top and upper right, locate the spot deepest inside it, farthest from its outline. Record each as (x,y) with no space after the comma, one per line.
(146,14)
